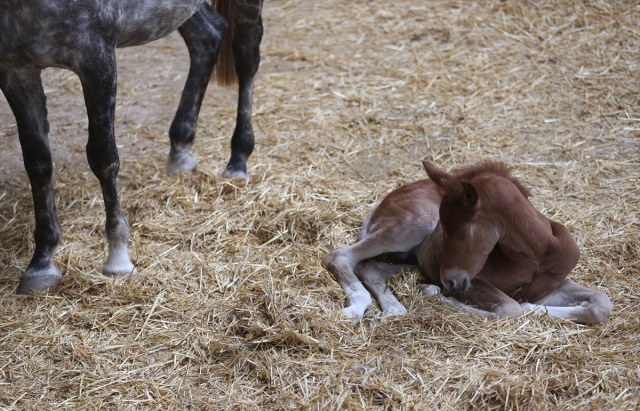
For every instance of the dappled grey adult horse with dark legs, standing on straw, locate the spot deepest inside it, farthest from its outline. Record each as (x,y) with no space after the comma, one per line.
(82,36)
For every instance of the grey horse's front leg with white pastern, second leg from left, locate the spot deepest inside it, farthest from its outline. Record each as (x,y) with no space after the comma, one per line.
(97,72)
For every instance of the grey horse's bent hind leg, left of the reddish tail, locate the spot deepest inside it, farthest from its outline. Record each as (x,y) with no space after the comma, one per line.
(202,34)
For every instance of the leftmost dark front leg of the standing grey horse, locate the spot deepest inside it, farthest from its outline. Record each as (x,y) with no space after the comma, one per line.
(24,93)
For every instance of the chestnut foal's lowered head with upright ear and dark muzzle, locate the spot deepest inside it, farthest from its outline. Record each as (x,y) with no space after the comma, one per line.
(470,233)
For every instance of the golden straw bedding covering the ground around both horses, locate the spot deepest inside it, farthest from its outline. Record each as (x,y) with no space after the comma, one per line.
(234,311)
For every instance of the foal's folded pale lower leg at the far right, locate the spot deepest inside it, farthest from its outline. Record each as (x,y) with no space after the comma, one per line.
(574,302)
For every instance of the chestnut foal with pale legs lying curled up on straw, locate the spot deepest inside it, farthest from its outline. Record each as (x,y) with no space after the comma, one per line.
(475,233)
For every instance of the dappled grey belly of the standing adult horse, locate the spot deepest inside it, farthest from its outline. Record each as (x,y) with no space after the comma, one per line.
(56,33)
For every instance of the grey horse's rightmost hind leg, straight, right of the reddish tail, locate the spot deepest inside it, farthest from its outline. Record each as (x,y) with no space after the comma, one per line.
(246,51)
